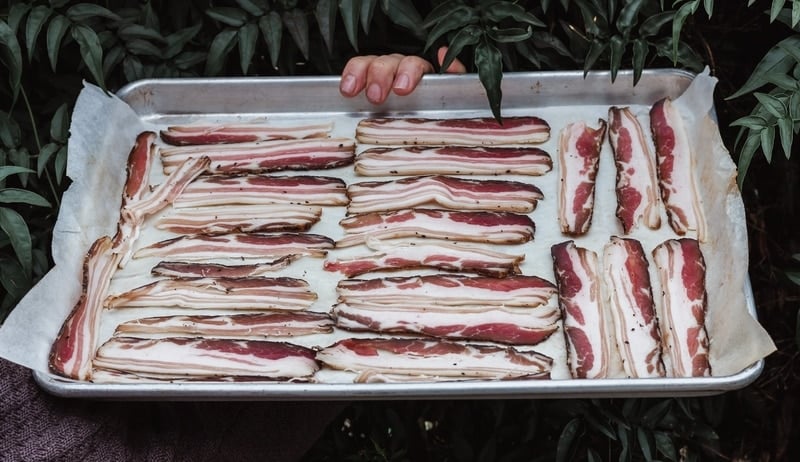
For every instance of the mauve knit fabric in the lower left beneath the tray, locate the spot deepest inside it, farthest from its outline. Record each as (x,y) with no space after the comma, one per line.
(35,426)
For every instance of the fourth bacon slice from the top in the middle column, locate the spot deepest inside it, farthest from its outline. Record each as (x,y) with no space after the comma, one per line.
(485,227)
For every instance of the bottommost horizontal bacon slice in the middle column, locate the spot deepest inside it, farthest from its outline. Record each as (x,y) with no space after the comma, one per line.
(439,358)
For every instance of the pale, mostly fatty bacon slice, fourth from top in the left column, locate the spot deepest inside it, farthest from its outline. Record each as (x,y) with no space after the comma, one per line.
(240,219)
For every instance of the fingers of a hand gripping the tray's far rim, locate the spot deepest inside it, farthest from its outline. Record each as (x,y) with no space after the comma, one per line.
(379,75)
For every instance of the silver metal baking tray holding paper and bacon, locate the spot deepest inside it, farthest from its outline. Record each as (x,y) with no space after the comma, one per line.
(169,100)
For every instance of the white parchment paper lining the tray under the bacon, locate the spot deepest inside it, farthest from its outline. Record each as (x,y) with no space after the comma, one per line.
(104,128)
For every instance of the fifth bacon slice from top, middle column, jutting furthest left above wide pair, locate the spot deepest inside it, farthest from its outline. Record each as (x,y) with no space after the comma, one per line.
(440,256)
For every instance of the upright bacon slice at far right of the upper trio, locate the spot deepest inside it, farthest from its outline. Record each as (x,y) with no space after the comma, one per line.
(679,190)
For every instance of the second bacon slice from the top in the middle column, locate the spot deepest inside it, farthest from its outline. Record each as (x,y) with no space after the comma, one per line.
(453,160)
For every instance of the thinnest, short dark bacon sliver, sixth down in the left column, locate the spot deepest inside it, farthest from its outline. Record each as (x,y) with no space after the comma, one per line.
(177,269)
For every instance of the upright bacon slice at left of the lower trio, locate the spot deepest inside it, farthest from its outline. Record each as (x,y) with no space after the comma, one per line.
(583,310)
